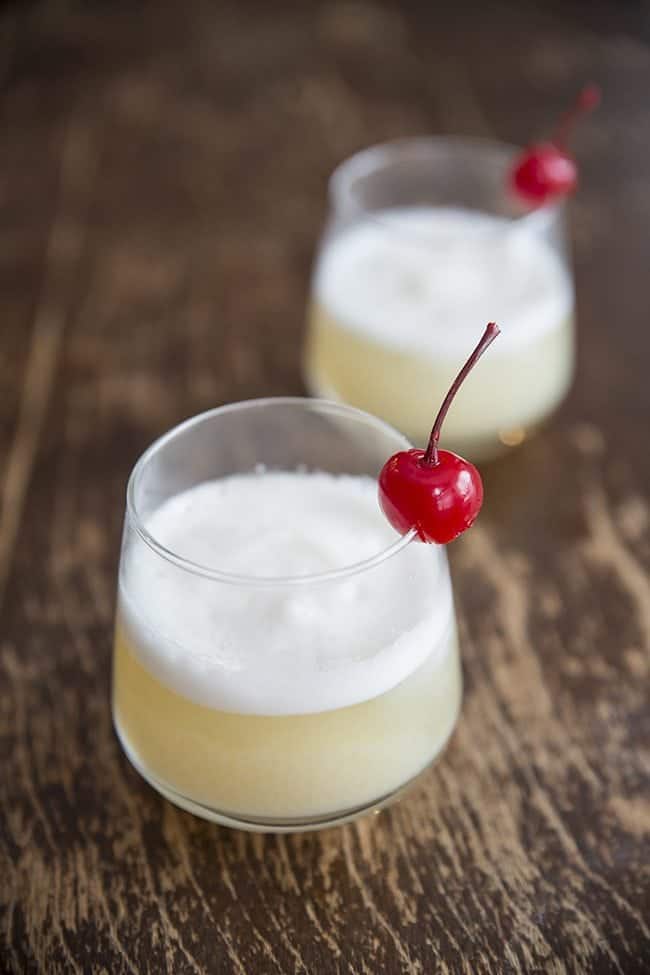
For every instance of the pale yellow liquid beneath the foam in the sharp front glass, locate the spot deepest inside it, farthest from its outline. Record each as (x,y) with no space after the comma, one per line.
(284,767)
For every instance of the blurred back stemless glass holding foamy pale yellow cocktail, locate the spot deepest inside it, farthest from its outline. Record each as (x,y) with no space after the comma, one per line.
(422,247)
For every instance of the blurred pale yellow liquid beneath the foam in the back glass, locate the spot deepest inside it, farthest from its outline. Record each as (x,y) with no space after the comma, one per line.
(509,393)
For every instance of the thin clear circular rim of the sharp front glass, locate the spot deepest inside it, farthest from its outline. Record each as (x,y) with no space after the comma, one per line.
(245,580)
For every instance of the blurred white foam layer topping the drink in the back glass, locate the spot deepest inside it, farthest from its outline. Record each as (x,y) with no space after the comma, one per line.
(428,278)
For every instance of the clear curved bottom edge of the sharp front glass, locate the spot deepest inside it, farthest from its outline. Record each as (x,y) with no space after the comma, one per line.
(261,824)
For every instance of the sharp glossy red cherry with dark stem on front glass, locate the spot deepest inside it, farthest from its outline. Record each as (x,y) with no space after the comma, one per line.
(434,491)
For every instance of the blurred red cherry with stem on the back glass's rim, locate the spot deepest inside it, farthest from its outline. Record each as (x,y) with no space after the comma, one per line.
(546,171)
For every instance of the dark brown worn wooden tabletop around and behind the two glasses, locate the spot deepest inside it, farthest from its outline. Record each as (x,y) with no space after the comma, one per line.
(162,181)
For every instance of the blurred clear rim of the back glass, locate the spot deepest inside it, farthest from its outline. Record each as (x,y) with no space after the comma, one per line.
(380,154)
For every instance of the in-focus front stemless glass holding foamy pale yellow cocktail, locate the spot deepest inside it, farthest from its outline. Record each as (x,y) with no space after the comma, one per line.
(317,738)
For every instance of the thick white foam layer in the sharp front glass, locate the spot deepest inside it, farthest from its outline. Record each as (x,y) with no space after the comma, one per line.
(282,649)
